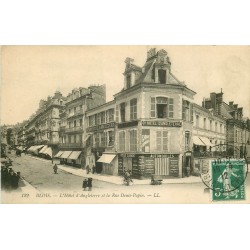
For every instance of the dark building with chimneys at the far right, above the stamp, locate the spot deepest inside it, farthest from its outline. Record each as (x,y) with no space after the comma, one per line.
(238,127)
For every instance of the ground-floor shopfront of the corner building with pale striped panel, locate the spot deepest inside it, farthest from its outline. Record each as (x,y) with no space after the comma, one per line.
(145,165)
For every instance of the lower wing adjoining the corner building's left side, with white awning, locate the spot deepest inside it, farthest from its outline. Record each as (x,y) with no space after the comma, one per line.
(101,138)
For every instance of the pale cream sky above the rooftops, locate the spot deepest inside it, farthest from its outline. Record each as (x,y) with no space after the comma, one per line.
(31,73)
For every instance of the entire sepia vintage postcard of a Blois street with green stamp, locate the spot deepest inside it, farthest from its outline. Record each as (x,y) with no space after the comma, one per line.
(125,124)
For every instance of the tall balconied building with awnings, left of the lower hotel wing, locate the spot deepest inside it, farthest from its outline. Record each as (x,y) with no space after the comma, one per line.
(72,126)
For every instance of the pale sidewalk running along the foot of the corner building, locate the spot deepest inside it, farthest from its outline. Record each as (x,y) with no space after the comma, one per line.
(119,180)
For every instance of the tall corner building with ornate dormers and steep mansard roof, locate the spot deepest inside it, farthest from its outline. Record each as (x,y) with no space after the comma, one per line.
(153,121)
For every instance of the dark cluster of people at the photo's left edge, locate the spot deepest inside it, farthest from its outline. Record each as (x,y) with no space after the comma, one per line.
(9,178)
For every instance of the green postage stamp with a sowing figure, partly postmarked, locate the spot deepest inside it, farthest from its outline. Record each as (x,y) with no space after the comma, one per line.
(228,179)
